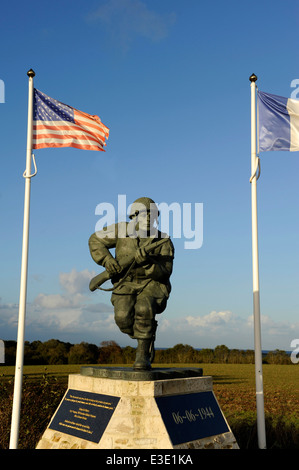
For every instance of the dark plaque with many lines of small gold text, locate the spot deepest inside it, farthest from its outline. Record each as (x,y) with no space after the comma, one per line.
(84,414)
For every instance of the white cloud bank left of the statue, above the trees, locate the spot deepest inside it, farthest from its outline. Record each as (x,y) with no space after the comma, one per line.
(67,315)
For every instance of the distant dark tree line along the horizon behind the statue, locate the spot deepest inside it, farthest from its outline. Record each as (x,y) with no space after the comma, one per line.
(109,352)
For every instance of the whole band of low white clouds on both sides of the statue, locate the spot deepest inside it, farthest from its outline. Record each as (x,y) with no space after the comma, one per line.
(77,315)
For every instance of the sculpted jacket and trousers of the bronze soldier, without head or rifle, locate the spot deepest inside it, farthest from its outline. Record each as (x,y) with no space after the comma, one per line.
(143,293)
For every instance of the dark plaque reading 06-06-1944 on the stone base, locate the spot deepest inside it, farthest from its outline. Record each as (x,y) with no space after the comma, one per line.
(192,416)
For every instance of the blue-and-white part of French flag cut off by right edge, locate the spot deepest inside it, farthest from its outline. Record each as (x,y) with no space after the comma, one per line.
(278,122)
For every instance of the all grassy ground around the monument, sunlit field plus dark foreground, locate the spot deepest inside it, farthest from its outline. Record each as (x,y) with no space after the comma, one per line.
(233,385)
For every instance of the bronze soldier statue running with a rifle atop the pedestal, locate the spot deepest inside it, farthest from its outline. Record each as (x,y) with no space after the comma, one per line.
(140,273)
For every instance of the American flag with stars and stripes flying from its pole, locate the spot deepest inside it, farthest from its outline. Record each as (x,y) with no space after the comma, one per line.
(58,125)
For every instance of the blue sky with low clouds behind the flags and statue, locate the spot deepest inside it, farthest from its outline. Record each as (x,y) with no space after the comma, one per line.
(170,80)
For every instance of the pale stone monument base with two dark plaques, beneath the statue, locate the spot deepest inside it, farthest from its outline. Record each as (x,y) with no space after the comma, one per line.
(118,408)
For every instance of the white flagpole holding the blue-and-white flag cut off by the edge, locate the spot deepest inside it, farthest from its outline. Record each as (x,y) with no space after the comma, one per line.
(255,272)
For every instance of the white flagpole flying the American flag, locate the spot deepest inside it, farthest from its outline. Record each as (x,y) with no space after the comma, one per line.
(15,420)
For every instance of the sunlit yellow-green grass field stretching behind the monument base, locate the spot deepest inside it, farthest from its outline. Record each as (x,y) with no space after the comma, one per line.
(233,384)
